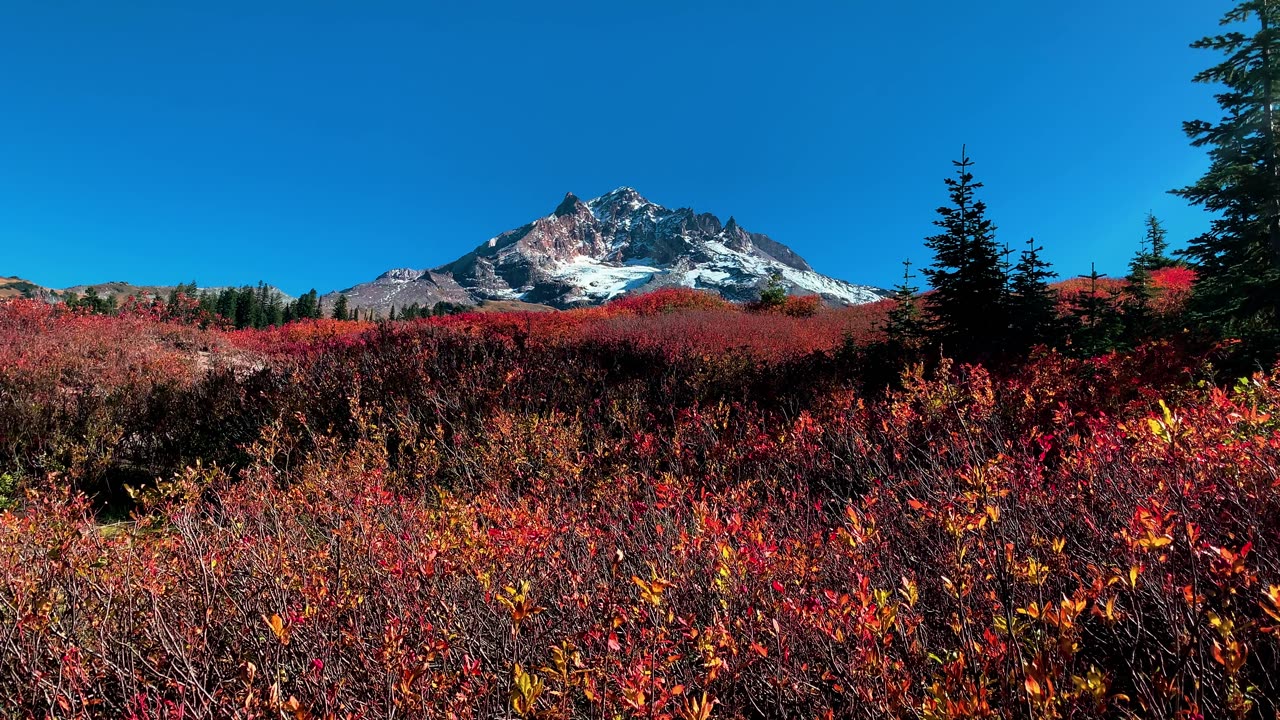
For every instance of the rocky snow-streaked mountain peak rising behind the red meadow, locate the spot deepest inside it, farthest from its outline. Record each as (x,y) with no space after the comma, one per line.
(593,252)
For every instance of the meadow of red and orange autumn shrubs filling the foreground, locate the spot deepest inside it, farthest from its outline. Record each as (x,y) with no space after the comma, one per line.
(668,508)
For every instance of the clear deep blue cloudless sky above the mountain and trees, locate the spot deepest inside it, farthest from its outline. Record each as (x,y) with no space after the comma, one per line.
(318,144)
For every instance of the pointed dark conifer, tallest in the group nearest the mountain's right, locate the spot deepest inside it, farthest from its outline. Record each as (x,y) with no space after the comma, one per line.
(968,311)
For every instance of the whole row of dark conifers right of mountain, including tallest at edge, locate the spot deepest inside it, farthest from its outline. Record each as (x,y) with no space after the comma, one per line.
(982,307)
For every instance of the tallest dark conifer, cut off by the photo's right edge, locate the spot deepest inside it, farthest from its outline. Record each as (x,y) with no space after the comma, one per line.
(1238,261)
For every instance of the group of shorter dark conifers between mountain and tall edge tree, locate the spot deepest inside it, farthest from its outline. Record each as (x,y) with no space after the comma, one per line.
(985,307)
